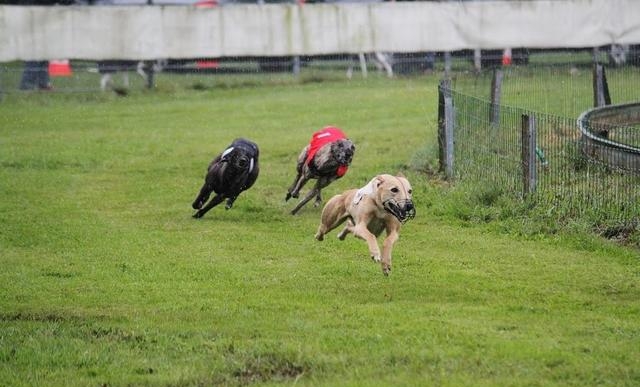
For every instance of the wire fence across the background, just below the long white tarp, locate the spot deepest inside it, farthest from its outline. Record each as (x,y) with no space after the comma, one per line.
(125,75)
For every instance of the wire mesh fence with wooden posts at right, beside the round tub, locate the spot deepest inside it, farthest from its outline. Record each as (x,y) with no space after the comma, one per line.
(573,167)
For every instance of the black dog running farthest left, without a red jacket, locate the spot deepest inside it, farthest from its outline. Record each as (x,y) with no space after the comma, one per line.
(231,172)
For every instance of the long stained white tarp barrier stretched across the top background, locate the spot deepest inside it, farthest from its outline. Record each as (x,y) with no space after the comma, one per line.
(150,32)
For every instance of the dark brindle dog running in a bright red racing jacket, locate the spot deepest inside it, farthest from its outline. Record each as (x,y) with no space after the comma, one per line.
(326,158)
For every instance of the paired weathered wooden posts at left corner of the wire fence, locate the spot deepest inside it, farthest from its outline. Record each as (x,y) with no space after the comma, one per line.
(445,128)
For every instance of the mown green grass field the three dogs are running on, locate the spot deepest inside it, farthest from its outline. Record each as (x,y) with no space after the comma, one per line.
(106,279)
